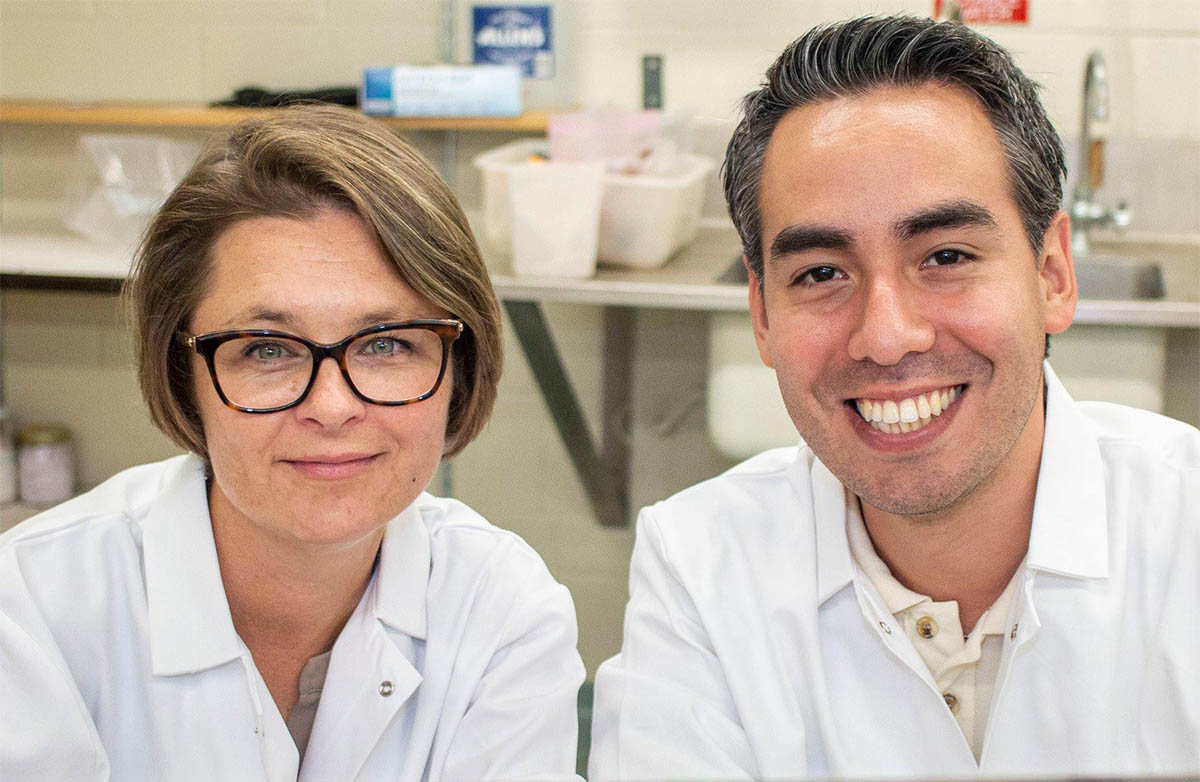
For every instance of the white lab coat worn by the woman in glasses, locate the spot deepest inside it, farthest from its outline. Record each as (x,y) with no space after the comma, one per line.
(119,659)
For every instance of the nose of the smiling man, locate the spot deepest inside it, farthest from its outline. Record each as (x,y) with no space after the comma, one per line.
(892,322)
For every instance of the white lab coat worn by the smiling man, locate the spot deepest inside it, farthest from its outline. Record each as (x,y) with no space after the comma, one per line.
(755,648)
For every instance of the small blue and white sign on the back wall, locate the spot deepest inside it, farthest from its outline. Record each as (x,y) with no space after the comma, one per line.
(515,35)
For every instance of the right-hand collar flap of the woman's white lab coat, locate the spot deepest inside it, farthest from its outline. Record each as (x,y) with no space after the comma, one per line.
(400,600)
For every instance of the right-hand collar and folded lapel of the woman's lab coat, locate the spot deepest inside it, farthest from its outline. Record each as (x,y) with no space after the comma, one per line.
(371,673)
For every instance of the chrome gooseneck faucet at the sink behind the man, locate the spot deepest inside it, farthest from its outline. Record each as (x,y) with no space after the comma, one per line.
(1087,213)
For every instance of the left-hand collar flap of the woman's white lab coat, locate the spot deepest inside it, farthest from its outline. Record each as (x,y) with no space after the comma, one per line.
(191,628)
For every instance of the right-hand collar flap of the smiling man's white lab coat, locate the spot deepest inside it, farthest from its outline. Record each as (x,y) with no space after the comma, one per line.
(1070,534)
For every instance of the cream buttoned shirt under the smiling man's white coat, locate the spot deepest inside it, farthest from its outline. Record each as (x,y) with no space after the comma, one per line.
(964,666)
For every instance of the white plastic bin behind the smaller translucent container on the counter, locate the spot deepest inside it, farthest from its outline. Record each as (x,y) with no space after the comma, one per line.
(644,220)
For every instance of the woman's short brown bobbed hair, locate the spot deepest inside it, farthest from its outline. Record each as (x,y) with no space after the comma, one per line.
(295,164)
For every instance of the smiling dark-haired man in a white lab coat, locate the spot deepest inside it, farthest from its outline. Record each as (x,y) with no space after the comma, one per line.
(962,570)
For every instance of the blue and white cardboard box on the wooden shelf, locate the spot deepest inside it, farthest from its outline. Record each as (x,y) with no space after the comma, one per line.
(442,91)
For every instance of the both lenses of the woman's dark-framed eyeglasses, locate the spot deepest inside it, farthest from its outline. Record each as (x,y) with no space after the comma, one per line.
(386,366)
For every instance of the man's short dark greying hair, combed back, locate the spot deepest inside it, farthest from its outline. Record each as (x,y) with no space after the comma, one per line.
(853,58)
